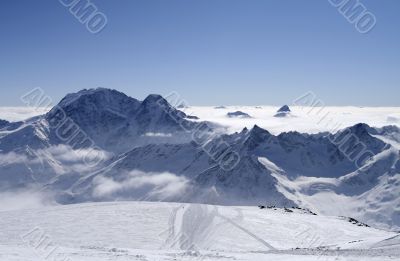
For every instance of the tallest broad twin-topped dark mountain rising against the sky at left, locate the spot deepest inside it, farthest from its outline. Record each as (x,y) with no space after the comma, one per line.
(110,119)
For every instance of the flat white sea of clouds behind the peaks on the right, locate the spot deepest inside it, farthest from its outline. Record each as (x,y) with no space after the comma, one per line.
(305,119)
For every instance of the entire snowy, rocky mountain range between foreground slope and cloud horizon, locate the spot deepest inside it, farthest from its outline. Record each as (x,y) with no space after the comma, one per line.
(101,145)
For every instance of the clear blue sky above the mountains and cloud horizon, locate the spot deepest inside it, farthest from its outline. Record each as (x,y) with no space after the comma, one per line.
(212,52)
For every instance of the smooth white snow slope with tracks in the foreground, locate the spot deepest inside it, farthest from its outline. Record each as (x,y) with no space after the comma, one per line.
(170,231)
